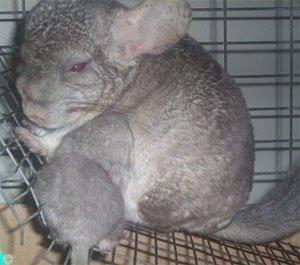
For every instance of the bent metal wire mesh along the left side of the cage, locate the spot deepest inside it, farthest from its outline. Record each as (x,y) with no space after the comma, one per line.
(22,164)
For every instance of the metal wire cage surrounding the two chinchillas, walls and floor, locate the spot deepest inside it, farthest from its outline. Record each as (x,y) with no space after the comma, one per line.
(258,43)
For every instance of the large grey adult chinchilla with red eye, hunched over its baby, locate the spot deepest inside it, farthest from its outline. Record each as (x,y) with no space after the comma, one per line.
(192,157)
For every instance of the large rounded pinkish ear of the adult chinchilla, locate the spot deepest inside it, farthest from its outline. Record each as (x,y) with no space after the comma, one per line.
(150,27)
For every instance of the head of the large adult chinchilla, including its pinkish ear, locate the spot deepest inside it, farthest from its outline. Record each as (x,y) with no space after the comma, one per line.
(79,54)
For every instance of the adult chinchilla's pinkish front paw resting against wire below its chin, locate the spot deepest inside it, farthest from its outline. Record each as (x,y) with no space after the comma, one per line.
(29,140)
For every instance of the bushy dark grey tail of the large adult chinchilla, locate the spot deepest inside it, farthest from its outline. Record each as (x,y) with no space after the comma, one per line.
(275,217)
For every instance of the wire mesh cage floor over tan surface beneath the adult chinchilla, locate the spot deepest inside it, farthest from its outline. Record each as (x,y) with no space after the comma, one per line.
(147,247)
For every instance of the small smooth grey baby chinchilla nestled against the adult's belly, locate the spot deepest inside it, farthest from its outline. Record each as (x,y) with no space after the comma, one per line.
(81,204)
